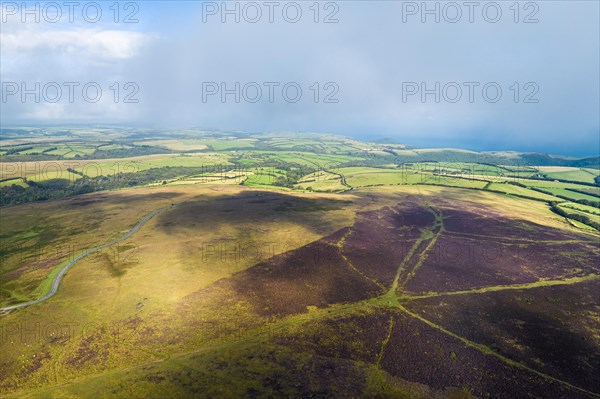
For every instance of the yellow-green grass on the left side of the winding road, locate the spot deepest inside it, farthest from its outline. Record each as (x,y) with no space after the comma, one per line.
(40,237)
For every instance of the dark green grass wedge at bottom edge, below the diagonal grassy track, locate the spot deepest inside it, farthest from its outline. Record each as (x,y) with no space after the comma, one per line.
(197,368)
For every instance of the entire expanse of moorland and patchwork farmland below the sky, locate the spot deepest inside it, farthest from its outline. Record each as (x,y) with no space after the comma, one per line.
(229,264)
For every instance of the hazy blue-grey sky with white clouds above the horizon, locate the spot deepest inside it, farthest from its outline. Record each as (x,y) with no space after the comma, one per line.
(503,75)
